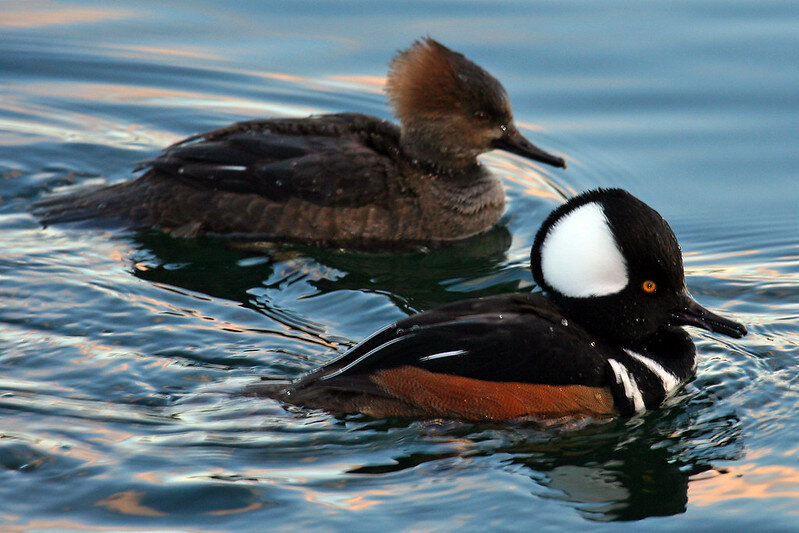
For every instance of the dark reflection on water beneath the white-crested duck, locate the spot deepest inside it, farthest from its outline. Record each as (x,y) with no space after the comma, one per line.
(617,471)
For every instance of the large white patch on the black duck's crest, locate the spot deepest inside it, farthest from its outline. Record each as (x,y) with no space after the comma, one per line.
(580,257)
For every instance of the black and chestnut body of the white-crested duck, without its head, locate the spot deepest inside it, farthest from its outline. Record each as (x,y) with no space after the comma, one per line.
(495,358)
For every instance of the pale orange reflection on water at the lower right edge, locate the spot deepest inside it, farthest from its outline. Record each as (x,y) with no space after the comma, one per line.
(749,481)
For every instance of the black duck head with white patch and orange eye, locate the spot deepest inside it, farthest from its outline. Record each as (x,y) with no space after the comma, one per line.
(614,266)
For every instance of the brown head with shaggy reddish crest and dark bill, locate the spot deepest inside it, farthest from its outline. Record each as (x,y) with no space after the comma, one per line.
(451,110)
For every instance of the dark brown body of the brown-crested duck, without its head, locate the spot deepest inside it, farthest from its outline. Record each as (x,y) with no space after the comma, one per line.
(293,179)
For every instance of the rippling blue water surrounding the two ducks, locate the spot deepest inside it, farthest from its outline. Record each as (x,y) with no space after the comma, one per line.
(120,352)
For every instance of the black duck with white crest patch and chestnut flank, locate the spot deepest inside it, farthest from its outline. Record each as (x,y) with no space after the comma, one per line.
(605,338)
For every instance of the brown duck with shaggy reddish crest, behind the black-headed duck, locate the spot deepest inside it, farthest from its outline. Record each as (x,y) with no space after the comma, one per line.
(340,178)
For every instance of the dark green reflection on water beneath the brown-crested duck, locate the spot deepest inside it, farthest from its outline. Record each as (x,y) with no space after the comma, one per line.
(413,280)
